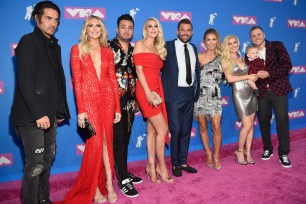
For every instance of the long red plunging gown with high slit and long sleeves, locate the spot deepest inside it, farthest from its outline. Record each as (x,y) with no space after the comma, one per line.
(100,100)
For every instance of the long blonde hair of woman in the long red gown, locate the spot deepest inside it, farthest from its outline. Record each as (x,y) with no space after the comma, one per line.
(84,44)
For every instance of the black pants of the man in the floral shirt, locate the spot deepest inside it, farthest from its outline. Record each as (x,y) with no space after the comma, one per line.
(122,132)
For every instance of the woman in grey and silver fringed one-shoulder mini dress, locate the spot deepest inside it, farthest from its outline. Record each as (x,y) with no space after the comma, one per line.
(208,106)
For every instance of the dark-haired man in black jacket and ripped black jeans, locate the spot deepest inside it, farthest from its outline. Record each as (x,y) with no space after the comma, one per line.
(39,101)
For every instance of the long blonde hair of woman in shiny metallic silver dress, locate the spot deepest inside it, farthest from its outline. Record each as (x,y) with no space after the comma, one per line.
(227,61)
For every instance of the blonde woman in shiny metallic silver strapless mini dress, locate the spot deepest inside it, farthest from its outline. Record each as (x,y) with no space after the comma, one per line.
(236,72)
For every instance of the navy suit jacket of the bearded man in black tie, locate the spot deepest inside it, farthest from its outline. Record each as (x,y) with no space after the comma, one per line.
(170,73)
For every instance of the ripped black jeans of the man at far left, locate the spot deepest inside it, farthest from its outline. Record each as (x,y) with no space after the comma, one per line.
(39,147)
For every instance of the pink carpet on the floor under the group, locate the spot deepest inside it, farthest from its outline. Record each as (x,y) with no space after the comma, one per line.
(264,182)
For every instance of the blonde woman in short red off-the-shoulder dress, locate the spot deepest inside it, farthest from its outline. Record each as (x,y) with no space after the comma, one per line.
(148,56)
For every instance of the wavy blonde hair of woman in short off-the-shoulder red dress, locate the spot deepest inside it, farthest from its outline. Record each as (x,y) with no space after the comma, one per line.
(159,43)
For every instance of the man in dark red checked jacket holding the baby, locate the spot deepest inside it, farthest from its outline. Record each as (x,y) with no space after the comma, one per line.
(273,85)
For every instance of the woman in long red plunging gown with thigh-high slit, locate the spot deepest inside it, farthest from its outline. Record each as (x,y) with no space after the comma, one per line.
(96,92)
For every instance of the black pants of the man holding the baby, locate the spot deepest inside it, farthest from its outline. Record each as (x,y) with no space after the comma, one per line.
(280,106)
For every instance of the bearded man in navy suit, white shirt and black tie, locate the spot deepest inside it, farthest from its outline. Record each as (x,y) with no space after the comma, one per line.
(181,88)
